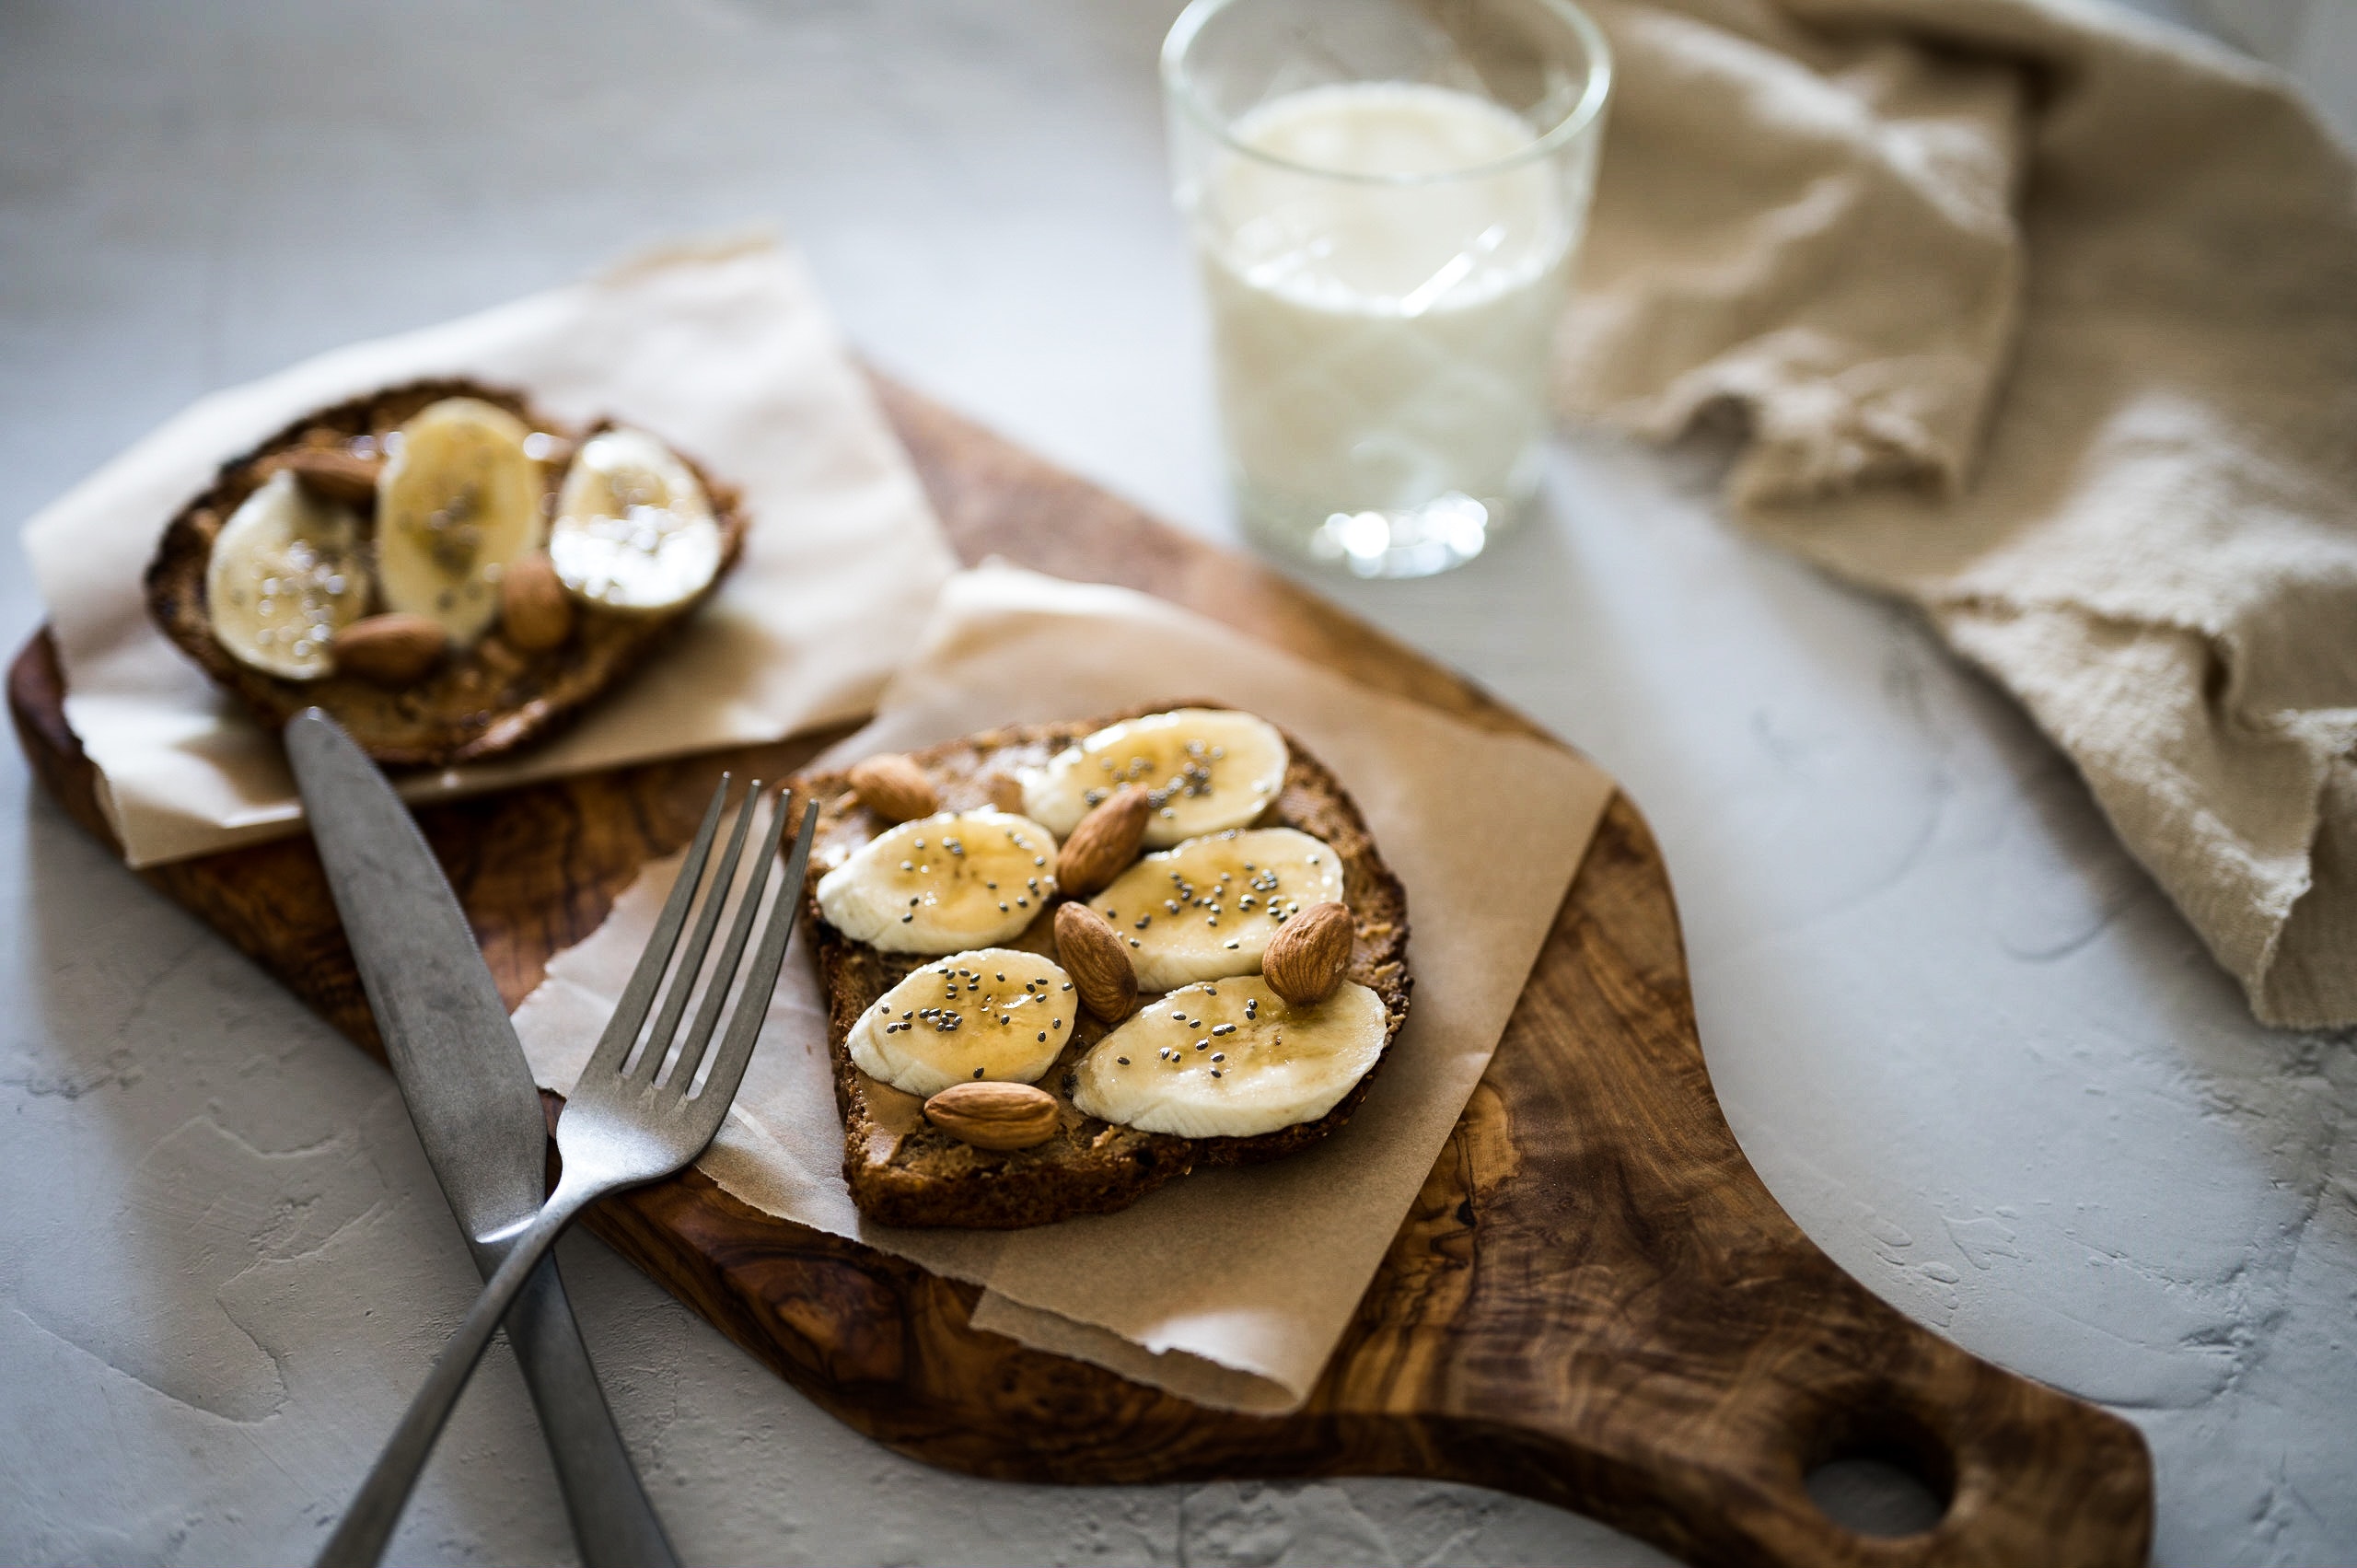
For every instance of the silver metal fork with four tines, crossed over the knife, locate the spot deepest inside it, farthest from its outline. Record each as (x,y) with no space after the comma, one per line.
(621,1126)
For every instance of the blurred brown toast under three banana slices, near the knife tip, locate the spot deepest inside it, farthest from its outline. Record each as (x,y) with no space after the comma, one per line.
(480,704)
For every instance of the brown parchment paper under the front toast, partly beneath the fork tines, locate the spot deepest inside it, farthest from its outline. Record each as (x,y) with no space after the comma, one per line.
(1229,1286)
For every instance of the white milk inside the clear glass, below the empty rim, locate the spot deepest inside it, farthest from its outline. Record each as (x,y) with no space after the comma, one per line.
(1385,286)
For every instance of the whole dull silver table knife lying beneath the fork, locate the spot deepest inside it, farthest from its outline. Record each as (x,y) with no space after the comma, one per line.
(475,1105)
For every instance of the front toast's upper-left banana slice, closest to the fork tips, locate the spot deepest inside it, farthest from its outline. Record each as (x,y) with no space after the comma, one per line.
(944,883)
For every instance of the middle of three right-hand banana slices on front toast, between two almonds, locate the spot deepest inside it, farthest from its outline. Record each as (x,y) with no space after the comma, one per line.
(1208,909)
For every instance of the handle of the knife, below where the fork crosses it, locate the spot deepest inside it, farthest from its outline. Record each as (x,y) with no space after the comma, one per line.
(612,1517)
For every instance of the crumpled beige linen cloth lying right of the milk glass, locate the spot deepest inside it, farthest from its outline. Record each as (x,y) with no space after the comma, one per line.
(2047,319)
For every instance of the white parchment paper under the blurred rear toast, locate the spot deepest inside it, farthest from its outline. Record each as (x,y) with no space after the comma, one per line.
(722,350)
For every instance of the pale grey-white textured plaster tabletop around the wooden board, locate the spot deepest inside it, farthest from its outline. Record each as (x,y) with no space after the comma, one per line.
(1960,1036)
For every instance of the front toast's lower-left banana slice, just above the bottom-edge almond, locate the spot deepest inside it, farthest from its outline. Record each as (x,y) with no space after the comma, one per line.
(993,1015)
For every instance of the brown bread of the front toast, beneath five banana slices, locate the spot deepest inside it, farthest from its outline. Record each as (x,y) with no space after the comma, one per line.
(909,1173)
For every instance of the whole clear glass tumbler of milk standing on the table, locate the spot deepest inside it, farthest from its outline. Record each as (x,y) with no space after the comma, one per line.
(1387,199)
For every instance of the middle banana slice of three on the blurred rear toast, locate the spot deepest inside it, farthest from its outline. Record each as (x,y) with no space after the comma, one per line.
(458,501)
